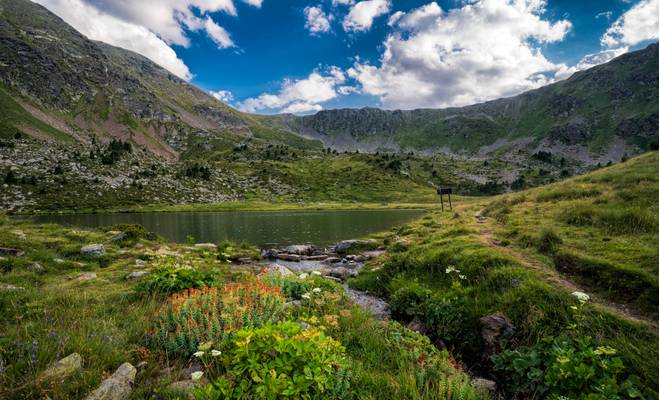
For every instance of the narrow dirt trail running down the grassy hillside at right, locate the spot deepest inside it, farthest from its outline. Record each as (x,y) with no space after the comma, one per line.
(485,235)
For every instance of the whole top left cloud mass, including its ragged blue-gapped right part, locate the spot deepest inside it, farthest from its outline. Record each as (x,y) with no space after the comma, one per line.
(148,27)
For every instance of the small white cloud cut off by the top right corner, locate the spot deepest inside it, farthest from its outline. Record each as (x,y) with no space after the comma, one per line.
(640,23)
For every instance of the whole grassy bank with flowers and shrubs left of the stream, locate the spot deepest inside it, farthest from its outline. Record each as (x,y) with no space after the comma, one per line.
(49,309)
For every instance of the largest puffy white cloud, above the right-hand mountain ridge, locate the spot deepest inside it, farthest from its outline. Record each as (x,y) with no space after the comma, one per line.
(483,50)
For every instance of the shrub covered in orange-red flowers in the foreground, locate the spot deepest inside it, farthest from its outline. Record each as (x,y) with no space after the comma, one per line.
(210,314)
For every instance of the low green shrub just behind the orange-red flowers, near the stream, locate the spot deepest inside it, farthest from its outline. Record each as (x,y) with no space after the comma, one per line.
(171,278)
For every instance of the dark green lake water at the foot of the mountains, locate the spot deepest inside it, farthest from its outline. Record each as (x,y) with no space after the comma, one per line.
(264,229)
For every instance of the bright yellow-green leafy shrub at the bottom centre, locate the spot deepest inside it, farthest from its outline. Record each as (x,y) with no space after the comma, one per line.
(282,361)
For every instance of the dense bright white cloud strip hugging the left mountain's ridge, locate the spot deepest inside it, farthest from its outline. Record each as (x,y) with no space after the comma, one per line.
(106,28)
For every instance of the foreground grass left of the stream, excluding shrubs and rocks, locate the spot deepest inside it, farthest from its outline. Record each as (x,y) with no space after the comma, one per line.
(105,319)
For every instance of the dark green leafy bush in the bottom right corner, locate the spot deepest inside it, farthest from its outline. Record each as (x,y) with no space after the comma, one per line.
(564,368)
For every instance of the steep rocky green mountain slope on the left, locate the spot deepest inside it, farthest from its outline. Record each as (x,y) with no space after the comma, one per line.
(90,89)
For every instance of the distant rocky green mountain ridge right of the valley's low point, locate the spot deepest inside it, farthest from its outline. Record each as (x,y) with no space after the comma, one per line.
(600,113)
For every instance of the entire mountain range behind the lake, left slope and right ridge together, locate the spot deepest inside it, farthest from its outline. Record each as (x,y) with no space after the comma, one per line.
(57,84)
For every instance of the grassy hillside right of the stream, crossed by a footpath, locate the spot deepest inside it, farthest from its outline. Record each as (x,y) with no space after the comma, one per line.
(522,255)
